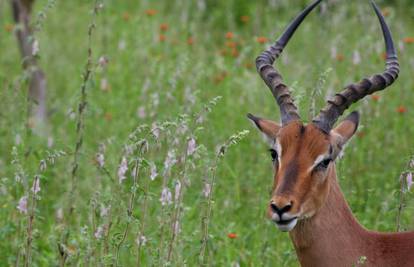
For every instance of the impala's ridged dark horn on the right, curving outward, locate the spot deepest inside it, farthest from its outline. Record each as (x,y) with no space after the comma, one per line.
(354,92)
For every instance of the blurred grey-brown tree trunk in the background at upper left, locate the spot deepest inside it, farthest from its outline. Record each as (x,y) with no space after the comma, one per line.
(37,115)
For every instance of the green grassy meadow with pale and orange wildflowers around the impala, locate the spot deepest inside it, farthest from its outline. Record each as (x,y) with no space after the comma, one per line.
(147,157)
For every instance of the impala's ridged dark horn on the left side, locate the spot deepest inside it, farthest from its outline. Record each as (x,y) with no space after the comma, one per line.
(272,78)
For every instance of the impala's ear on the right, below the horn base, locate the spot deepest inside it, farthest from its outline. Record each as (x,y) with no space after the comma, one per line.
(345,130)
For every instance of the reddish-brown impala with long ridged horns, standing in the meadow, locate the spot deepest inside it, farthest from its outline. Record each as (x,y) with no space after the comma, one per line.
(306,198)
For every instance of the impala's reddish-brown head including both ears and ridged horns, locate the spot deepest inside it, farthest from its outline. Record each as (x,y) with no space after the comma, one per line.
(304,155)
